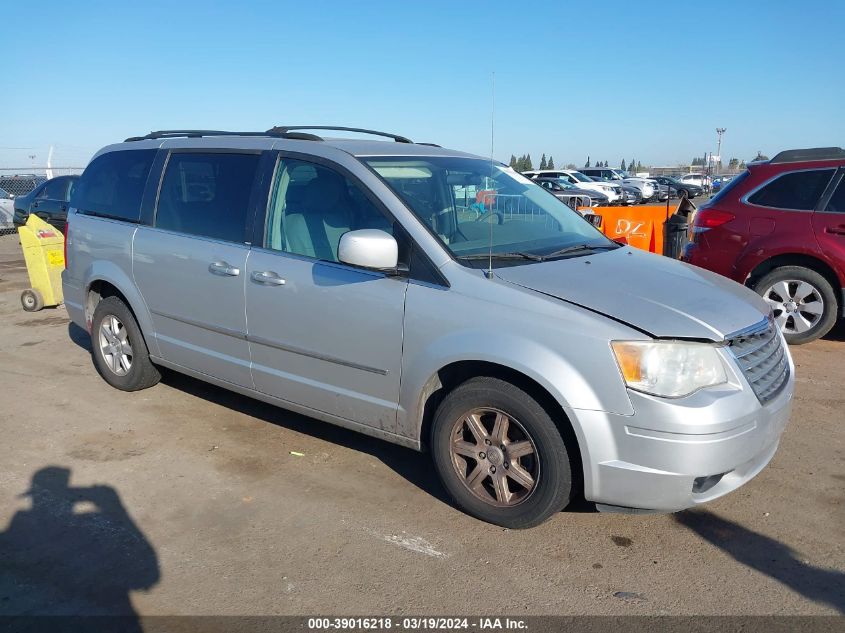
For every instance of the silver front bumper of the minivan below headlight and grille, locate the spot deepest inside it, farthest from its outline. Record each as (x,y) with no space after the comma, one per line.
(661,457)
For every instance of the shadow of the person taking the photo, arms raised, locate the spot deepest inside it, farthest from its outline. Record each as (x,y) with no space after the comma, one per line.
(75,552)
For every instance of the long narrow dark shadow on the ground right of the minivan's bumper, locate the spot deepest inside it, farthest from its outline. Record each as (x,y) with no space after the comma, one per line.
(768,556)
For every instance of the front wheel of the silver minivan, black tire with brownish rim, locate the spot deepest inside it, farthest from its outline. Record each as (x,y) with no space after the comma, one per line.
(500,455)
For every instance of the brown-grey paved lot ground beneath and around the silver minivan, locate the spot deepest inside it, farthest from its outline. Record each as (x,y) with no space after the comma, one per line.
(187,499)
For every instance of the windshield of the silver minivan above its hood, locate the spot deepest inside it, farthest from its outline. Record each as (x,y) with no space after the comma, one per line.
(476,207)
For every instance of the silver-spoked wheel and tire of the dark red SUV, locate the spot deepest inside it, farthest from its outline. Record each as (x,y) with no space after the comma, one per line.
(803,302)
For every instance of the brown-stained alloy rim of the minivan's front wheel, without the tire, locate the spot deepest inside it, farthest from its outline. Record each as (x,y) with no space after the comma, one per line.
(494,457)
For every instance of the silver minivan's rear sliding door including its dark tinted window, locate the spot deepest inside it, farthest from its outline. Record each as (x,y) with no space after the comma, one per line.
(191,265)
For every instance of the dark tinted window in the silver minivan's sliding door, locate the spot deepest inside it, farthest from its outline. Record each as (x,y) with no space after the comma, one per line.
(207,194)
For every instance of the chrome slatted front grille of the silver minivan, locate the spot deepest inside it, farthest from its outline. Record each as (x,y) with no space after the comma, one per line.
(761,355)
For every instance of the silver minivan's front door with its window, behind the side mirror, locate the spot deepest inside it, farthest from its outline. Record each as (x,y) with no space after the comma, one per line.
(323,334)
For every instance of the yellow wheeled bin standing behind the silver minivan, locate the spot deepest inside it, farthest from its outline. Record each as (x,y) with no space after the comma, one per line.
(44,253)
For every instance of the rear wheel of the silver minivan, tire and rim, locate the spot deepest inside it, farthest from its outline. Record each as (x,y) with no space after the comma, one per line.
(120,353)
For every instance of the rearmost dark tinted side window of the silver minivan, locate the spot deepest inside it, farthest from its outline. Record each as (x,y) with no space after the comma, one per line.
(113,184)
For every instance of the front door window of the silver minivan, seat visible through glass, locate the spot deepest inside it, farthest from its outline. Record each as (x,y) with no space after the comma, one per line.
(312,206)
